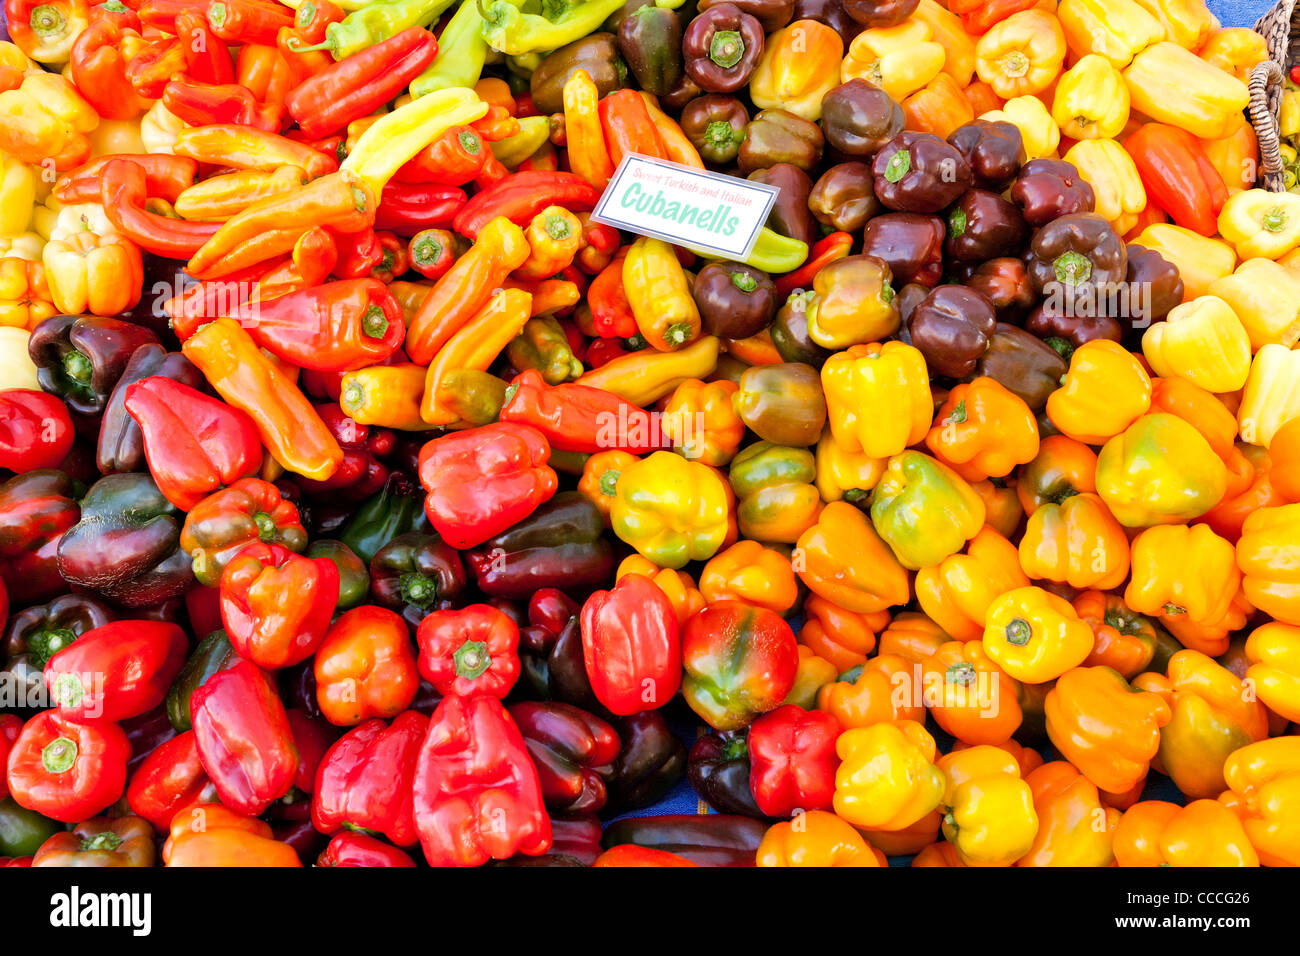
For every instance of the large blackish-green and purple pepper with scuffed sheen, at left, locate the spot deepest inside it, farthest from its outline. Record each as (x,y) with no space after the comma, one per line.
(128,546)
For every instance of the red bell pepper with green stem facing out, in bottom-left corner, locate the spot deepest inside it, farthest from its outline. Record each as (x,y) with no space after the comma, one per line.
(68,771)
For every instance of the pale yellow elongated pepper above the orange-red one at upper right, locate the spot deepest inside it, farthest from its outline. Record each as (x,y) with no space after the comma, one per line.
(1176,86)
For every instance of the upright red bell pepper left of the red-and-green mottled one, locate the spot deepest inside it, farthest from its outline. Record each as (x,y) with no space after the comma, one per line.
(631,646)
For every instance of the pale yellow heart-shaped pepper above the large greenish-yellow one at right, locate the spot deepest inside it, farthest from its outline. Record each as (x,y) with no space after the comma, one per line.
(1202,341)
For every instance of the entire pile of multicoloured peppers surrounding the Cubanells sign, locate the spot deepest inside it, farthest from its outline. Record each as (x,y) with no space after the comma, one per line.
(370,504)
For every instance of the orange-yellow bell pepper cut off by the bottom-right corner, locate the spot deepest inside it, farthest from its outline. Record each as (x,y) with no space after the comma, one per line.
(1264,782)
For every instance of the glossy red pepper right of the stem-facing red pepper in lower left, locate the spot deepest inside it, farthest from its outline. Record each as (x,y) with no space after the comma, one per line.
(244,738)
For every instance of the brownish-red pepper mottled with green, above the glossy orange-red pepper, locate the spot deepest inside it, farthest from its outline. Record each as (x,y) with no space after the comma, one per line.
(224,524)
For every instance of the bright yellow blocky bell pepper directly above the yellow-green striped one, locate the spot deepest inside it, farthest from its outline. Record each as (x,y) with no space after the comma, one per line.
(878,399)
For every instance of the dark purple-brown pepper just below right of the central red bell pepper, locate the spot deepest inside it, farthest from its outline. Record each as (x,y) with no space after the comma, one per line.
(560,546)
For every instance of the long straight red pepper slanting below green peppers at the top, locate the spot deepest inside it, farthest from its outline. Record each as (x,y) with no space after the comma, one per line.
(361,84)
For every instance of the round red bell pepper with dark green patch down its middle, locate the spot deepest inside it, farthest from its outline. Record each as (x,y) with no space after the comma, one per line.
(739,661)
